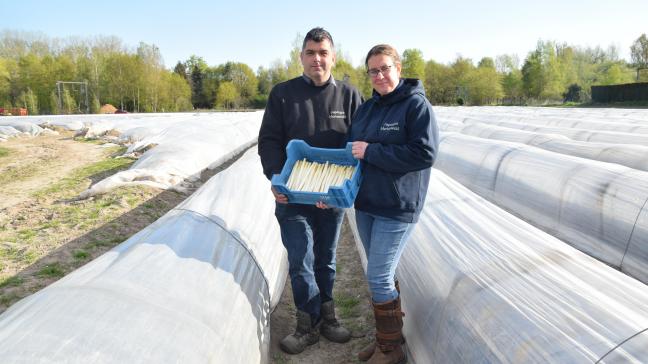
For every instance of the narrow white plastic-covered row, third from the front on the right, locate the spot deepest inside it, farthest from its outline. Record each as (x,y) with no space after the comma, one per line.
(633,156)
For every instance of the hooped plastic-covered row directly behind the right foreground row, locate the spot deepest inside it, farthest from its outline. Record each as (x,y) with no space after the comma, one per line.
(599,208)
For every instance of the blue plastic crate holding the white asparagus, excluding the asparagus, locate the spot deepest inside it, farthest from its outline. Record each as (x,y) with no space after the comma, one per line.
(342,196)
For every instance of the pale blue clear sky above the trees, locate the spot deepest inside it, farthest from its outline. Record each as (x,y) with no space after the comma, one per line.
(260,32)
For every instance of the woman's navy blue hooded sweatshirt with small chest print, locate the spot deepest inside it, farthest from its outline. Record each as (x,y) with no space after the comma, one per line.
(403,142)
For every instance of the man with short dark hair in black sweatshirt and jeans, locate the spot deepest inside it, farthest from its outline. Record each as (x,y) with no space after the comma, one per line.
(317,109)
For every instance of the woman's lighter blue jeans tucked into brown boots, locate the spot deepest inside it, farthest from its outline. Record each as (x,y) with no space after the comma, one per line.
(383,240)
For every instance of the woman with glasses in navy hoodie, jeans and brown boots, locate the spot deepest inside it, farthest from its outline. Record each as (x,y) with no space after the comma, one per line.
(395,135)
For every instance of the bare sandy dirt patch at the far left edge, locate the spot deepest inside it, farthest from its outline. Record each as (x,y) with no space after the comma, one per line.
(33,163)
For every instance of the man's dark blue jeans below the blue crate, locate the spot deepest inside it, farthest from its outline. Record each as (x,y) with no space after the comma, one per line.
(310,236)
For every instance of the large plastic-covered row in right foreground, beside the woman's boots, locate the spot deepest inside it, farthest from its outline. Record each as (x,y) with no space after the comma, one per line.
(482,286)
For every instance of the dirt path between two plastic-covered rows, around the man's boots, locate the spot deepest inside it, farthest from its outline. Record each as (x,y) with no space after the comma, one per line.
(353,309)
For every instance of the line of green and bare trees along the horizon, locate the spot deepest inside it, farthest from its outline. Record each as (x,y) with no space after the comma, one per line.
(136,79)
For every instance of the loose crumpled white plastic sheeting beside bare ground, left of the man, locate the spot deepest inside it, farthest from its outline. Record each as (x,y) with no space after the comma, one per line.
(177,147)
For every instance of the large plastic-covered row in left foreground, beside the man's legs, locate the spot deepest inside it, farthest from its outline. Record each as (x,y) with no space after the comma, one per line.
(196,286)
